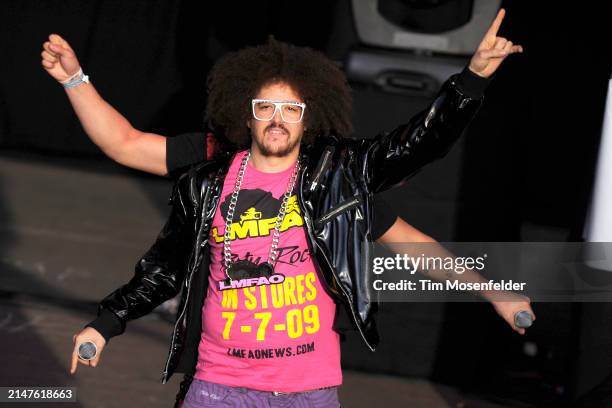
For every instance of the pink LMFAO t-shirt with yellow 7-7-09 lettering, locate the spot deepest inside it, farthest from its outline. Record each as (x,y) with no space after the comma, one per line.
(276,334)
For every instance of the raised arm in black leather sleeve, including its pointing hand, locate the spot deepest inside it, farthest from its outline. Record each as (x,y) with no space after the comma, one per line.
(395,156)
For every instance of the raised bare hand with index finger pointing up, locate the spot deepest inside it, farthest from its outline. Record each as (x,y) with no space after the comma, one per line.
(492,50)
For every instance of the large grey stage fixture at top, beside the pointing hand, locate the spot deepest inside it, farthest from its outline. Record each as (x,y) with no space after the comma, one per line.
(410,47)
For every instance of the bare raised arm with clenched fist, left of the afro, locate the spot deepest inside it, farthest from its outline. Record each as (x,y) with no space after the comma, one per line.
(104,125)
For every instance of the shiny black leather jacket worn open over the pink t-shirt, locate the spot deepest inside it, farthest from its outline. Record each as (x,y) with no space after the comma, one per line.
(337,180)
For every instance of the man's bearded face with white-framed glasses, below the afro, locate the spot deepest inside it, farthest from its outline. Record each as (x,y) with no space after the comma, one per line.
(276,137)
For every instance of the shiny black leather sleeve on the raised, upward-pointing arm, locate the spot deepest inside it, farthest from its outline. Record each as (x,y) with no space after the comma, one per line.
(391,158)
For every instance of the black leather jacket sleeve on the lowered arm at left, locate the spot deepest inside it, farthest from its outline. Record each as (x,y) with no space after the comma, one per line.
(158,274)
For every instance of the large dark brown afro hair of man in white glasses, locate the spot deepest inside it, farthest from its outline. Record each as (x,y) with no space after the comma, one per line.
(238,76)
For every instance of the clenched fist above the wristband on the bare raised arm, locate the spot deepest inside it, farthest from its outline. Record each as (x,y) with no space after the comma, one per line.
(59,59)
